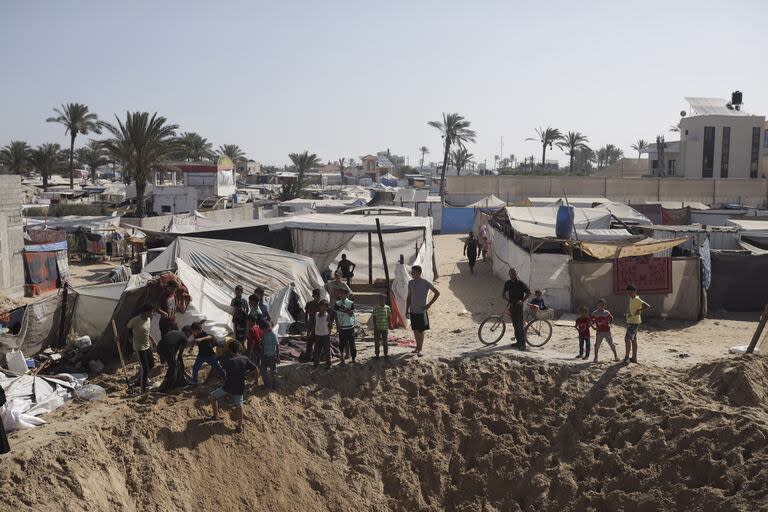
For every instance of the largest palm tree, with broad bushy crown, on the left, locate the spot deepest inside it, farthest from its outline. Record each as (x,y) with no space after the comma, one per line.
(143,144)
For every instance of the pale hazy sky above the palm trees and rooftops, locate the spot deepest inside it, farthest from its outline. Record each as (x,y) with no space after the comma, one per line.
(346,78)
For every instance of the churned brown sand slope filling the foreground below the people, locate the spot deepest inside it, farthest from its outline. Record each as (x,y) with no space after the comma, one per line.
(486,434)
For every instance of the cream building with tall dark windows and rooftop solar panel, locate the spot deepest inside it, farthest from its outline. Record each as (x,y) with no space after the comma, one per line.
(718,140)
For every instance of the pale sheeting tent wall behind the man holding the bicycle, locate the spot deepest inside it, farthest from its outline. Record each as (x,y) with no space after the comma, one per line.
(547,272)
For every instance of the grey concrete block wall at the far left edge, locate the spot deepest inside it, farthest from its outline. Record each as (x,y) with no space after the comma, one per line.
(11,237)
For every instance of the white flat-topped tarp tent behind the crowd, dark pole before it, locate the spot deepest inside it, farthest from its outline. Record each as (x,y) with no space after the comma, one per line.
(323,237)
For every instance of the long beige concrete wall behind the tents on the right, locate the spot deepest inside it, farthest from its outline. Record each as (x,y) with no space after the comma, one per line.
(463,190)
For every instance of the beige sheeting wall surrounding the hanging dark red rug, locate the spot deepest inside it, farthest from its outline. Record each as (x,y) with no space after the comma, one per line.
(593,280)
